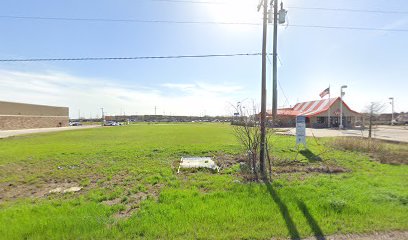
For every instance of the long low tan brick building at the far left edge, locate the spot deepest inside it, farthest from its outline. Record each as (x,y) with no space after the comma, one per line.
(24,116)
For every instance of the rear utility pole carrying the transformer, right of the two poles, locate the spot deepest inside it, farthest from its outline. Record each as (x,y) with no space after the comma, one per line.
(275,60)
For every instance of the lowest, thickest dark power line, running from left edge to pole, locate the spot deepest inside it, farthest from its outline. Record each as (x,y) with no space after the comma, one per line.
(128,58)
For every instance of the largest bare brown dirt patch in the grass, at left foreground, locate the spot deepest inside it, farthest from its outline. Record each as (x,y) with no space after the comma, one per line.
(44,186)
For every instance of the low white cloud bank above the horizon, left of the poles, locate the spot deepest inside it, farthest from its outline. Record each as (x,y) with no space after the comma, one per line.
(89,95)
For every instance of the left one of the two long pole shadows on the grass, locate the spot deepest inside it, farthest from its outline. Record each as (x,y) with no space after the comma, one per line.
(294,233)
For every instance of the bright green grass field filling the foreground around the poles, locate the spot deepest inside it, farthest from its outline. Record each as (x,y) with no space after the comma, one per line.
(131,189)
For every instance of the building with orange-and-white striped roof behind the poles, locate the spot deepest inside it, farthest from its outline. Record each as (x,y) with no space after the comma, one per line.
(317,114)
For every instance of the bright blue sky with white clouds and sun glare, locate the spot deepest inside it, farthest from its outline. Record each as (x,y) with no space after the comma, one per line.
(373,64)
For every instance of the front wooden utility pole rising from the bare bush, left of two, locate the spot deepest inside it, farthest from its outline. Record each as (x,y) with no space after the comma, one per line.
(263,92)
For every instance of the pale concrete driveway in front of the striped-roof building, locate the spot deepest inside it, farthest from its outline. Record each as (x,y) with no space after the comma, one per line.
(392,133)
